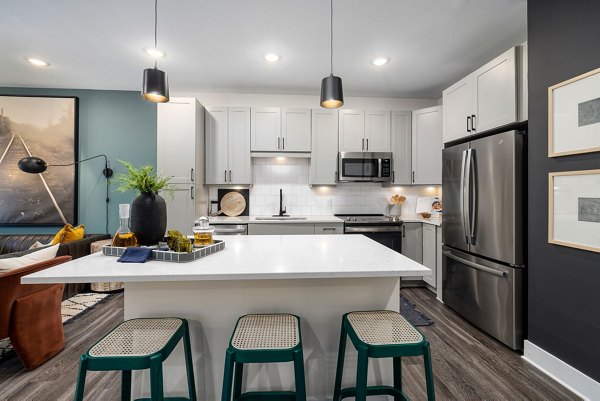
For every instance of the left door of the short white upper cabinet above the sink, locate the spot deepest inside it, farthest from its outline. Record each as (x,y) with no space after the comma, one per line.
(265,128)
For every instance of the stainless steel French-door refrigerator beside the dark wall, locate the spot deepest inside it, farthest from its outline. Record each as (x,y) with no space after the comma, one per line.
(483,253)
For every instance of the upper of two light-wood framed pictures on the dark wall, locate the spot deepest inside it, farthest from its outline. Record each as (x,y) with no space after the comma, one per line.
(574,115)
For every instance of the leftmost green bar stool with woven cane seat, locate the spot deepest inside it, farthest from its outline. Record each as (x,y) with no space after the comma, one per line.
(139,344)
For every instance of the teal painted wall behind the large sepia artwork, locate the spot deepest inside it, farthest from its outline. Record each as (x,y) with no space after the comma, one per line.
(119,124)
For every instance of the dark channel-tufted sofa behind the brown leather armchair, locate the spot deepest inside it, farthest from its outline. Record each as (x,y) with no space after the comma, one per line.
(19,244)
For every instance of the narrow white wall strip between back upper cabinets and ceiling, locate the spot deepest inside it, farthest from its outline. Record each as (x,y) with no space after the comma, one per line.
(262,100)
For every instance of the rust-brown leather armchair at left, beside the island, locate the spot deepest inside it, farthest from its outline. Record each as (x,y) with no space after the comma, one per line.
(30,314)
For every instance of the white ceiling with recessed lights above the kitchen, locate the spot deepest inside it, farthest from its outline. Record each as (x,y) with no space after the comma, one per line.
(217,46)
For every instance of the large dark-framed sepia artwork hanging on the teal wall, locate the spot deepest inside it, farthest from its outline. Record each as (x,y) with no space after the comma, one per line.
(45,127)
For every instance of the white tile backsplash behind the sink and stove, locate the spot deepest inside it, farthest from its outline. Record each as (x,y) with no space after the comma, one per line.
(291,175)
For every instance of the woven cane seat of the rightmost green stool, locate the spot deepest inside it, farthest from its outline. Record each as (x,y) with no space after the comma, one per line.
(383,328)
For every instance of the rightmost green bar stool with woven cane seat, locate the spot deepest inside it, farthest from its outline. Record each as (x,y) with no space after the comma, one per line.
(380,334)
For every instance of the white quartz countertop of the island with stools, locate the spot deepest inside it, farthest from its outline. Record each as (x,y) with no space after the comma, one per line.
(246,258)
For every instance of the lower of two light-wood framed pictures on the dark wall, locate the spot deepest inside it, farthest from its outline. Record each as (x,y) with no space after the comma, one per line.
(574,209)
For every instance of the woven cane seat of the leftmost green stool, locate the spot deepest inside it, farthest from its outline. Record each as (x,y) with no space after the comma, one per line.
(137,337)
